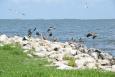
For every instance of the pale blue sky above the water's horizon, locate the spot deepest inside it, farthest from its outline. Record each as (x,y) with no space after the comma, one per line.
(57,9)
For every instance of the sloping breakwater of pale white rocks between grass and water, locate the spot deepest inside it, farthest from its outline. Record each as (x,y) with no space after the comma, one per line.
(68,55)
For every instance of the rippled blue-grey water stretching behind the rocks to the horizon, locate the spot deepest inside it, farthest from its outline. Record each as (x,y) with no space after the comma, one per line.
(66,28)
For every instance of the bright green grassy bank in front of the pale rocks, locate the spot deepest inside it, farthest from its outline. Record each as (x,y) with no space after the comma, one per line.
(15,63)
